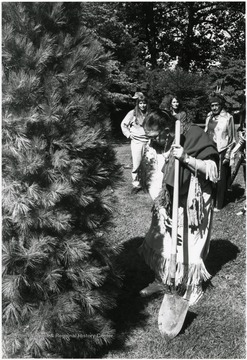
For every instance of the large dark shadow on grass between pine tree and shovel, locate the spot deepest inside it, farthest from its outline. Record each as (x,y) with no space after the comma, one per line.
(130,310)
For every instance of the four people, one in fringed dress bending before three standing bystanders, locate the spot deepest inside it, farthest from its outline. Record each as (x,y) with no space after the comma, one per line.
(204,169)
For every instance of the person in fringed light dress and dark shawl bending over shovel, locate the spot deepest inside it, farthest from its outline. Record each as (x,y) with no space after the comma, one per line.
(198,158)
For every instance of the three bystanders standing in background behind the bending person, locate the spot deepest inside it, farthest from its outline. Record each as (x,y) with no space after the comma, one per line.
(219,125)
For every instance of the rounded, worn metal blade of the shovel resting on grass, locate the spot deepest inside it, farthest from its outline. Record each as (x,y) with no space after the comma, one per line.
(172,314)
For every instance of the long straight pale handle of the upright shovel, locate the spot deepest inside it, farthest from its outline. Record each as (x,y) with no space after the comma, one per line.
(175,207)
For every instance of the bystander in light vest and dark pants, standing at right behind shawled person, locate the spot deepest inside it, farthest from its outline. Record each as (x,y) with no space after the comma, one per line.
(220,128)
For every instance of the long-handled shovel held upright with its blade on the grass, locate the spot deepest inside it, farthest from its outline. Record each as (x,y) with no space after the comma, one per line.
(174,308)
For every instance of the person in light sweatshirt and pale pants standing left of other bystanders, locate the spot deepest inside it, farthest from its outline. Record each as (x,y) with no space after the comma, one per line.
(132,128)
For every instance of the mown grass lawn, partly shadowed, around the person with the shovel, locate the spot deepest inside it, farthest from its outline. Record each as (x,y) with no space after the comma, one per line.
(215,327)
